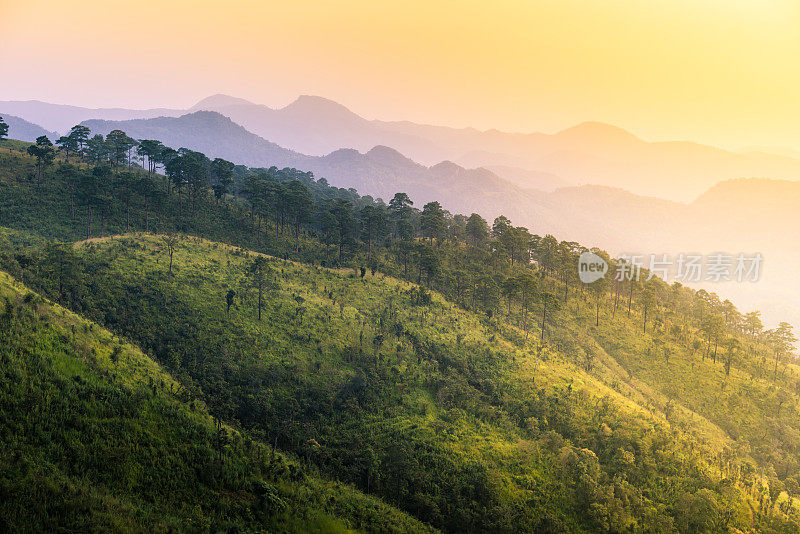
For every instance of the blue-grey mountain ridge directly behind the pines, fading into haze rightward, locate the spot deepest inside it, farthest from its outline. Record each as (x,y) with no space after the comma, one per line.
(380,171)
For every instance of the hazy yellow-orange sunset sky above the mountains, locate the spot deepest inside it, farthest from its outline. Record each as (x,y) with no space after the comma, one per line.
(723,72)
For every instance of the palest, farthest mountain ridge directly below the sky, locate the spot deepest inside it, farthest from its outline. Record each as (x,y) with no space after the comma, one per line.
(589,153)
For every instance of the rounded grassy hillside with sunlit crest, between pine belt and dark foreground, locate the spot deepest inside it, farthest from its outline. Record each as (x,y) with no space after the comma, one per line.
(452,417)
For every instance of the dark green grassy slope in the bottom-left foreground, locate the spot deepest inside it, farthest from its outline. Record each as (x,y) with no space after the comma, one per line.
(94,444)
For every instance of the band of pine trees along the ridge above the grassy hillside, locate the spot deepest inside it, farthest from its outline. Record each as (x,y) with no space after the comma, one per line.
(497,269)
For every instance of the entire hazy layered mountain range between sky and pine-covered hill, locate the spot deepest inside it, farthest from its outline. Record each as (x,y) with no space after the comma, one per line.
(728,213)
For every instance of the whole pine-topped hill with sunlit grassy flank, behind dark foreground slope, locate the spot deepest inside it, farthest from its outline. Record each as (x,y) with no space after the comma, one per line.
(457,371)
